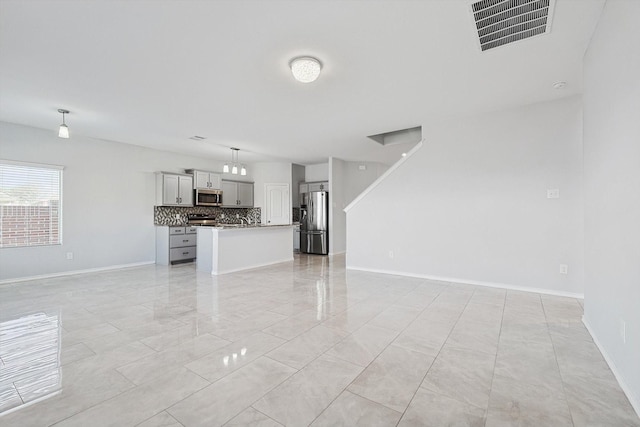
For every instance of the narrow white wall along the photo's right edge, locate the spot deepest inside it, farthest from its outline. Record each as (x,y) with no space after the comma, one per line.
(612,190)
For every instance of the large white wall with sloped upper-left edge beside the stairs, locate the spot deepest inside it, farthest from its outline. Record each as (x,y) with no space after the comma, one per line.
(471,205)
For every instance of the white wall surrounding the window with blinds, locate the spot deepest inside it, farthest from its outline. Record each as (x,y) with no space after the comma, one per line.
(108,199)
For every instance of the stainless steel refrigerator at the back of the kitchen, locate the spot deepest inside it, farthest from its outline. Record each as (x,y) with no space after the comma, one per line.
(314,223)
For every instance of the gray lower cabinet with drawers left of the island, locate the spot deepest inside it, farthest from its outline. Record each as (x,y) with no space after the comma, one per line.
(175,244)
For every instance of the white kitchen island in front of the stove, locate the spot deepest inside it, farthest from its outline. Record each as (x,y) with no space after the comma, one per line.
(226,249)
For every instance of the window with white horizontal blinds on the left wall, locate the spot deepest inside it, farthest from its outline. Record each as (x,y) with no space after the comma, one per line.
(30,204)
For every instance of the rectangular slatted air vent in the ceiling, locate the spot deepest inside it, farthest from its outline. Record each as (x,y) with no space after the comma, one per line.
(500,22)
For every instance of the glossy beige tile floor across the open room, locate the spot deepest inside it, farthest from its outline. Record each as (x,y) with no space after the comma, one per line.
(296,344)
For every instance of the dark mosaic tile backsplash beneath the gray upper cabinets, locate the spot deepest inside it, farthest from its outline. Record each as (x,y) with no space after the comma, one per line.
(166,215)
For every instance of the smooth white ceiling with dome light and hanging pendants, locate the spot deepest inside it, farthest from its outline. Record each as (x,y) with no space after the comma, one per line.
(154,73)
